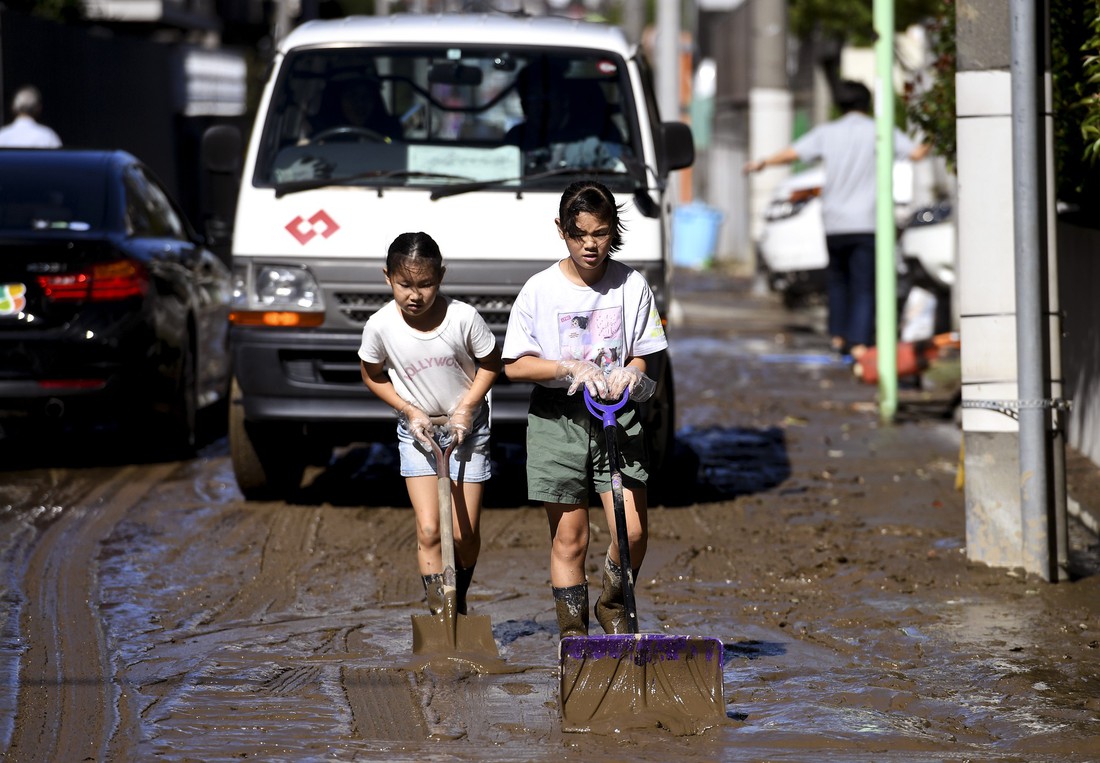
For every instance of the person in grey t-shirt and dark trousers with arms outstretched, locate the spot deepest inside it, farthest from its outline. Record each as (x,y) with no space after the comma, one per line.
(846,146)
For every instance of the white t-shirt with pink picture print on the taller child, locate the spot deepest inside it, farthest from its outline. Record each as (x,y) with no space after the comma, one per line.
(612,320)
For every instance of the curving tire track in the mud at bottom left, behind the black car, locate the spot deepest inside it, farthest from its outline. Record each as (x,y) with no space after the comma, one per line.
(71,706)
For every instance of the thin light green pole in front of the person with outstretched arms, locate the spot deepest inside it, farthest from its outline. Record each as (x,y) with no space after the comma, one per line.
(886,272)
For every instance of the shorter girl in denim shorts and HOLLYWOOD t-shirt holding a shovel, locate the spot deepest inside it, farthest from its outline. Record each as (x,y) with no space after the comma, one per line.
(426,356)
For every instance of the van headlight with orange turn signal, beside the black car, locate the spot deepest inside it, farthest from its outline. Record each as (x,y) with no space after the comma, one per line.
(277,295)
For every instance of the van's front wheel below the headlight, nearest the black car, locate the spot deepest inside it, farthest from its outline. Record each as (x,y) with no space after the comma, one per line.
(266,456)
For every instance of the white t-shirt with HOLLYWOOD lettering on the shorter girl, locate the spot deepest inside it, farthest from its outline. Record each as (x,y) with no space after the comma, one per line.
(433,370)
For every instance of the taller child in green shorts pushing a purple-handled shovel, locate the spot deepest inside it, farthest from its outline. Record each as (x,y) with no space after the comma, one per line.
(567,454)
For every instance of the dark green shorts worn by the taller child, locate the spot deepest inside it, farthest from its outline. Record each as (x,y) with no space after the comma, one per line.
(567,449)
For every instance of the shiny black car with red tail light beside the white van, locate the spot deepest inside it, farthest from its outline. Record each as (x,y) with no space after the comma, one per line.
(112,307)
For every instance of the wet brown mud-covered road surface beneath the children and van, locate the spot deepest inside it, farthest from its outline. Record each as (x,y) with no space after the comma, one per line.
(149,613)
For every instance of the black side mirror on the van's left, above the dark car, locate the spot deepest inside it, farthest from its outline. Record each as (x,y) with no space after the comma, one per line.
(222,154)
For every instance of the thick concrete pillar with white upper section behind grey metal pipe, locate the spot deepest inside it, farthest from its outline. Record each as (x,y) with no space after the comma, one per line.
(986,285)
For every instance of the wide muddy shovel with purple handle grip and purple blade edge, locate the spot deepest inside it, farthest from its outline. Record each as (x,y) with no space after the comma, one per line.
(637,680)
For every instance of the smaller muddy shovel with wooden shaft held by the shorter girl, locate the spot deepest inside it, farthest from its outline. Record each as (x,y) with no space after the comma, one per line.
(449,632)
